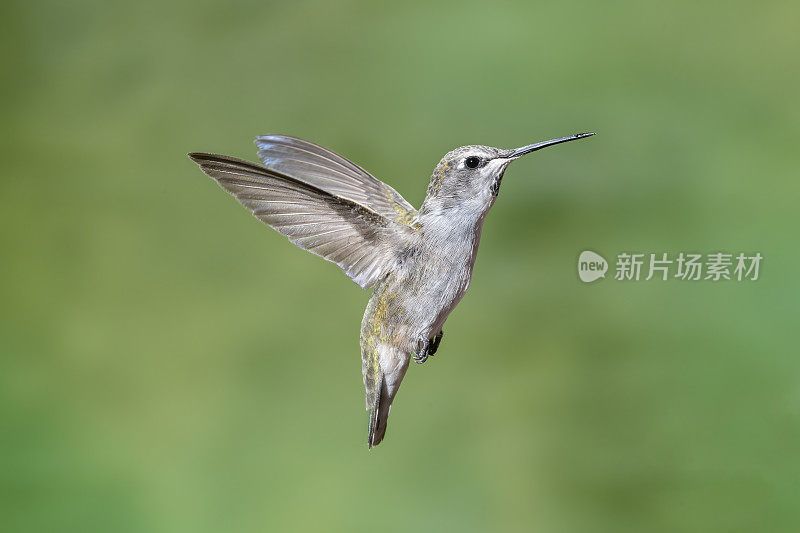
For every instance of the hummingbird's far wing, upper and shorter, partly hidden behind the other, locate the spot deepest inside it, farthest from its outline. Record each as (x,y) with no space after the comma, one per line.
(318,166)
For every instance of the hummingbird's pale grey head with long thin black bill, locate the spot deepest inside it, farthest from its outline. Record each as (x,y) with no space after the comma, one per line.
(469,177)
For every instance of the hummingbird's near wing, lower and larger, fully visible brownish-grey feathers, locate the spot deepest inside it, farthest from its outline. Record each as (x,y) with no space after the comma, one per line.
(336,228)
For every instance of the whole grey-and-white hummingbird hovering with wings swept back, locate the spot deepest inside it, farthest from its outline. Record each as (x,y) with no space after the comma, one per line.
(418,262)
